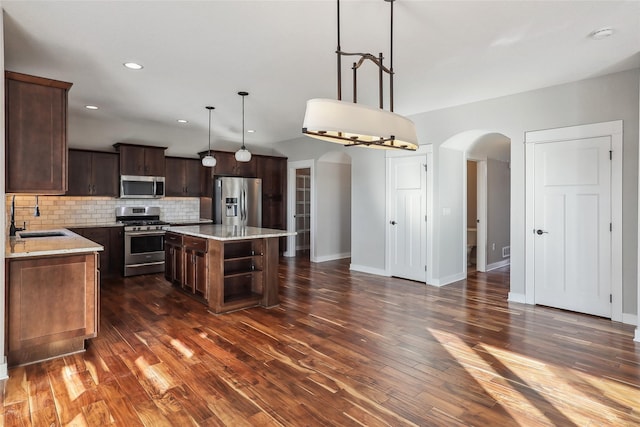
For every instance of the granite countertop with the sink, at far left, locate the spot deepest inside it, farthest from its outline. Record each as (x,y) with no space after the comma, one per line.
(69,243)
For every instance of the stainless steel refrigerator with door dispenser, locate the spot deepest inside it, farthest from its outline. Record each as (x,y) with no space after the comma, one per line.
(237,201)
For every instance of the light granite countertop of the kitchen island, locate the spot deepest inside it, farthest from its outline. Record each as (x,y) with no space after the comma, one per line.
(229,232)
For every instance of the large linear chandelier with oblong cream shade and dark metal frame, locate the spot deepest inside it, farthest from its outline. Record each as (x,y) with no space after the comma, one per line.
(356,125)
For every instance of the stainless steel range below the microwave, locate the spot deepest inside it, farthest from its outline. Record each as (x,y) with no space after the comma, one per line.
(143,239)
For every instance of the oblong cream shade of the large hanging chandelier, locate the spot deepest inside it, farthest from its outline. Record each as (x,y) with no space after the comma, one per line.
(353,124)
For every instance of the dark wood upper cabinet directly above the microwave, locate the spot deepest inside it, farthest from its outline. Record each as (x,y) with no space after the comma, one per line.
(141,159)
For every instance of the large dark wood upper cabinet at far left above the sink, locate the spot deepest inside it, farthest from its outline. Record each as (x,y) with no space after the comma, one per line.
(36,134)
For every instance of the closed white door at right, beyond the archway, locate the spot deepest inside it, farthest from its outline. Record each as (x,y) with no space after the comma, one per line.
(572,246)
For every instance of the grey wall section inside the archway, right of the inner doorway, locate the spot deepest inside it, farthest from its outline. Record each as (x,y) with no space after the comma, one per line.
(498,212)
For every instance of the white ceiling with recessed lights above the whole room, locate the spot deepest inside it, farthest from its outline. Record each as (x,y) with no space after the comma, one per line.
(202,53)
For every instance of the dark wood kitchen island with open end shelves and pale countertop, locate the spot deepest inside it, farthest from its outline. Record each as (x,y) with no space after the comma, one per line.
(227,267)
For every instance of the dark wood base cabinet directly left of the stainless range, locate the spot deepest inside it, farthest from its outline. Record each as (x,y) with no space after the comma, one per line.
(111,260)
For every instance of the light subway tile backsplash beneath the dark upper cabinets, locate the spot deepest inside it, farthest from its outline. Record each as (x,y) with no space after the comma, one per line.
(68,211)
